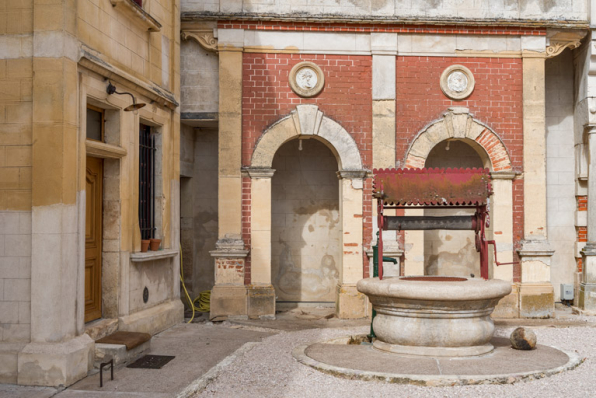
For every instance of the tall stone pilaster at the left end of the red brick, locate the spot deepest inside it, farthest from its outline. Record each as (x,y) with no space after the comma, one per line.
(229,295)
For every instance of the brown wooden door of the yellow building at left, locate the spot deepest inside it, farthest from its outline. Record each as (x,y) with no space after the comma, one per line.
(93,222)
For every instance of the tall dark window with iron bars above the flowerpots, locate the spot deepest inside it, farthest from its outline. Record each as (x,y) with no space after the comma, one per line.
(146,182)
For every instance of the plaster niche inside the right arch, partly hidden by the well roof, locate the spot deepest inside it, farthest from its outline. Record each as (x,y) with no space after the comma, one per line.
(451,253)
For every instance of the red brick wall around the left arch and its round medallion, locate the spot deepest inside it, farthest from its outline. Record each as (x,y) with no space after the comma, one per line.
(346,98)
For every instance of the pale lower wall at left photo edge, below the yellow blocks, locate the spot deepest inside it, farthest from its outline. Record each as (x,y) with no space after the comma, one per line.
(15,276)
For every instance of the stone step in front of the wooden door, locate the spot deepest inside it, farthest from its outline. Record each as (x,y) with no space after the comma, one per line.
(122,347)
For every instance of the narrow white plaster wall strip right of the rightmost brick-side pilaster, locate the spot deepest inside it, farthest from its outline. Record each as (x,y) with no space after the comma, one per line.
(560,168)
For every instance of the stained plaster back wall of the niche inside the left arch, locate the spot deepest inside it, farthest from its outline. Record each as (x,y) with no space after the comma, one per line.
(306,228)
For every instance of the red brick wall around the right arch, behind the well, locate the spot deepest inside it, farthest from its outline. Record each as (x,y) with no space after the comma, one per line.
(496,101)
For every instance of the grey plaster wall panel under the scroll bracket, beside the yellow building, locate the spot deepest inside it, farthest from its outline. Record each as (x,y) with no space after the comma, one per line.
(199,78)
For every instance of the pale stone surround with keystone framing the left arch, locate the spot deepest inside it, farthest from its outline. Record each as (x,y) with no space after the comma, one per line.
(307,122)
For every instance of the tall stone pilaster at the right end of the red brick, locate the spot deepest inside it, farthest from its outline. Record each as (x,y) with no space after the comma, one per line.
(536,292)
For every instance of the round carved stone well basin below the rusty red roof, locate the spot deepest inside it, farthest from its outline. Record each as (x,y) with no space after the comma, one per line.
(434,316)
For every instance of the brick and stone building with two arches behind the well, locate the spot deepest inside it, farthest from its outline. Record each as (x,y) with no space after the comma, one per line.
(302,100)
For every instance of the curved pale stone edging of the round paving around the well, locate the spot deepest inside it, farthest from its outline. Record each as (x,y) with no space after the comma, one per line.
(299,353)
